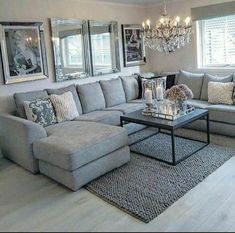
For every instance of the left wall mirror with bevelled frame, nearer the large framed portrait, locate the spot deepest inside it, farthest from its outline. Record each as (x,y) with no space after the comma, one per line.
(71,48)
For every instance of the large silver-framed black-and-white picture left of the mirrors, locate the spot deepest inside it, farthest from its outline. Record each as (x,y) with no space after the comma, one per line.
(23,52)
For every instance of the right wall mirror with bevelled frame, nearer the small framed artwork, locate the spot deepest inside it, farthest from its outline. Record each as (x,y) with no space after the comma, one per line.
(104,44)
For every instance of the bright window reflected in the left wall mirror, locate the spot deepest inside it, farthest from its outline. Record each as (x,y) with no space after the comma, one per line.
(73,49)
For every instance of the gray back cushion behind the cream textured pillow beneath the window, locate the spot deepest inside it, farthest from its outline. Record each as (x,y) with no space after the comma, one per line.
(210,78)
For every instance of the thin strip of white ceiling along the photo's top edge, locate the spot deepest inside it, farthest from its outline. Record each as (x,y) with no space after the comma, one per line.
(134,2)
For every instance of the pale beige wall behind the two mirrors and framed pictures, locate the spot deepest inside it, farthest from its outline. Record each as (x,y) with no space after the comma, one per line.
(42,10)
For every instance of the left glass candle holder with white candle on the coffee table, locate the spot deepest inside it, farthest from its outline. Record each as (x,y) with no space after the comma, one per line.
(148,96)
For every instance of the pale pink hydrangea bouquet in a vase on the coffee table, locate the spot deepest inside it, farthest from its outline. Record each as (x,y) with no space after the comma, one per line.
(180,94)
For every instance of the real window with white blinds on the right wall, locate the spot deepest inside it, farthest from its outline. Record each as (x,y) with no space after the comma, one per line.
(216,42)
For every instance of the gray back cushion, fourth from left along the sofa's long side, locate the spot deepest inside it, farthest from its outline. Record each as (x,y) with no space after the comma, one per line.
(113,92)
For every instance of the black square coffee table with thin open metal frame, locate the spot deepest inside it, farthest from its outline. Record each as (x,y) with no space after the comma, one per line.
(170,126)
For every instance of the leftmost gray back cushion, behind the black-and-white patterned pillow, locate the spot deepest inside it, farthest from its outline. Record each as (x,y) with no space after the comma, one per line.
(20,98)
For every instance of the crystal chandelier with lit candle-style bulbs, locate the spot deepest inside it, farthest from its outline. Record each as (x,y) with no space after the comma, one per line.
(169,34)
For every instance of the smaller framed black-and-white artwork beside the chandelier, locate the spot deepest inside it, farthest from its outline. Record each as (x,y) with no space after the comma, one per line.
(133,45)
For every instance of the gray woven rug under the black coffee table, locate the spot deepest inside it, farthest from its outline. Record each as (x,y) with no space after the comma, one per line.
(144,188)
